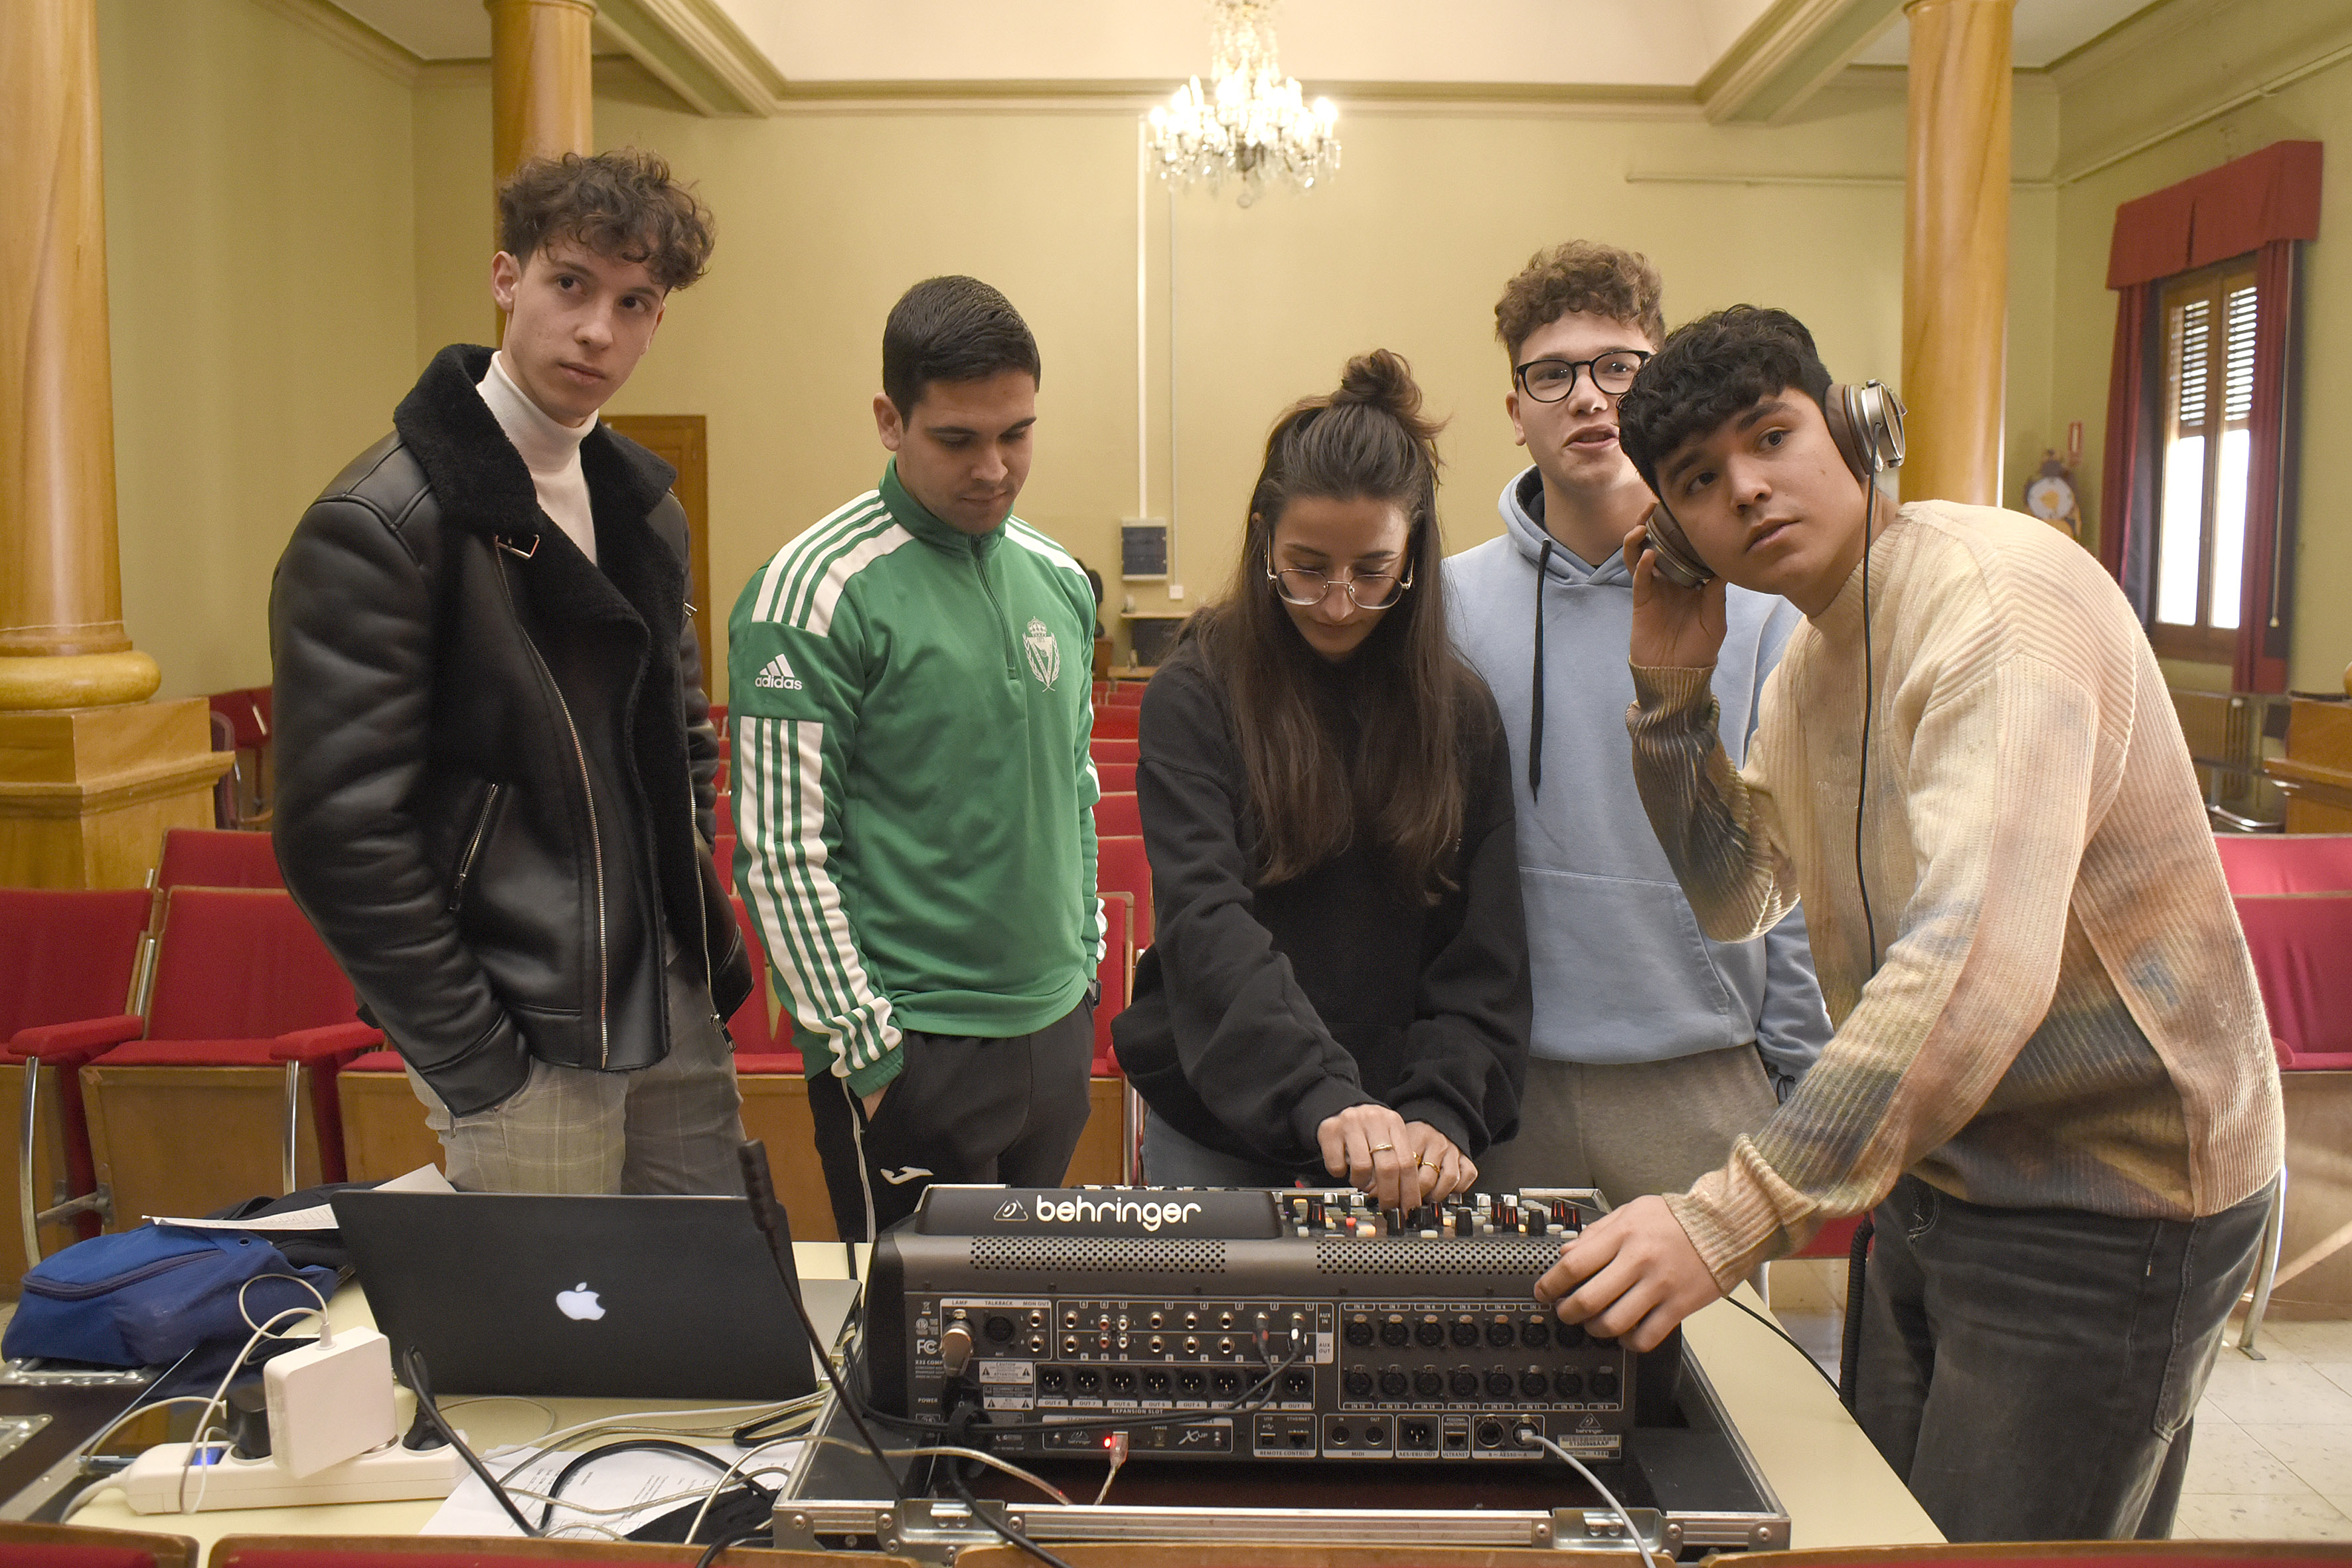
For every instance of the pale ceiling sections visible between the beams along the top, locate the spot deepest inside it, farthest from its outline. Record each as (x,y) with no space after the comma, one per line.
(1342,41)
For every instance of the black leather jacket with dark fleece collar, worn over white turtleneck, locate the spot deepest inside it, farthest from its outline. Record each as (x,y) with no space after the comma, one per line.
(495,758)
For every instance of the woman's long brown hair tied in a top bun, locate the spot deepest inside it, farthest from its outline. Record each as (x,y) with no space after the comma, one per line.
(1403,782)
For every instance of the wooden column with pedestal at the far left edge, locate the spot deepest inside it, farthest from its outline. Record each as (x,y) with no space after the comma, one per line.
(91,772)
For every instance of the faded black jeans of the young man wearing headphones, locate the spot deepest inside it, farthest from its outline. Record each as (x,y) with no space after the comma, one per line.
(2031,1372)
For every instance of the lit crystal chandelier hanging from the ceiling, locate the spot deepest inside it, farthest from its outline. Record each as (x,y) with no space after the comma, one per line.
(1250,121)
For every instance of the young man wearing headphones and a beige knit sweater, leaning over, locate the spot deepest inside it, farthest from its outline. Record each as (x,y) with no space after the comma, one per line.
(2052,1076)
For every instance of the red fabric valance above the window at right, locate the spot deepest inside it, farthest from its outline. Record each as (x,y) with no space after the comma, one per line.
(2217,215)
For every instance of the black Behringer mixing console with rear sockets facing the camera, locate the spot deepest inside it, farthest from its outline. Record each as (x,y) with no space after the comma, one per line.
(1243,1325)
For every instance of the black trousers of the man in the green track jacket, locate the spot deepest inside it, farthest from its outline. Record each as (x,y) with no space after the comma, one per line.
(961,1111)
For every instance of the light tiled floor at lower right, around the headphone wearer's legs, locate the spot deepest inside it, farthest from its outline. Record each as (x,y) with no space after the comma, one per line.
(2273,1449)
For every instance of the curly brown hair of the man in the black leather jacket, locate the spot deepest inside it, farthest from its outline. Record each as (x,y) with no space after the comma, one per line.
(620,206)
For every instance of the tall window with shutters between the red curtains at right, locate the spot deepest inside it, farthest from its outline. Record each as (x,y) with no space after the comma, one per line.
(2207,448)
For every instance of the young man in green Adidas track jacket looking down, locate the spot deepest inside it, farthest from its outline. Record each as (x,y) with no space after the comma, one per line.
(911,699)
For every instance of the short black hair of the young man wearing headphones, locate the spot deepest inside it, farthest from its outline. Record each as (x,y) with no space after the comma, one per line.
(1713,370)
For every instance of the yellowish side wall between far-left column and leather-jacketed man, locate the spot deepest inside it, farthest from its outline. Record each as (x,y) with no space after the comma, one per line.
(262,290)
